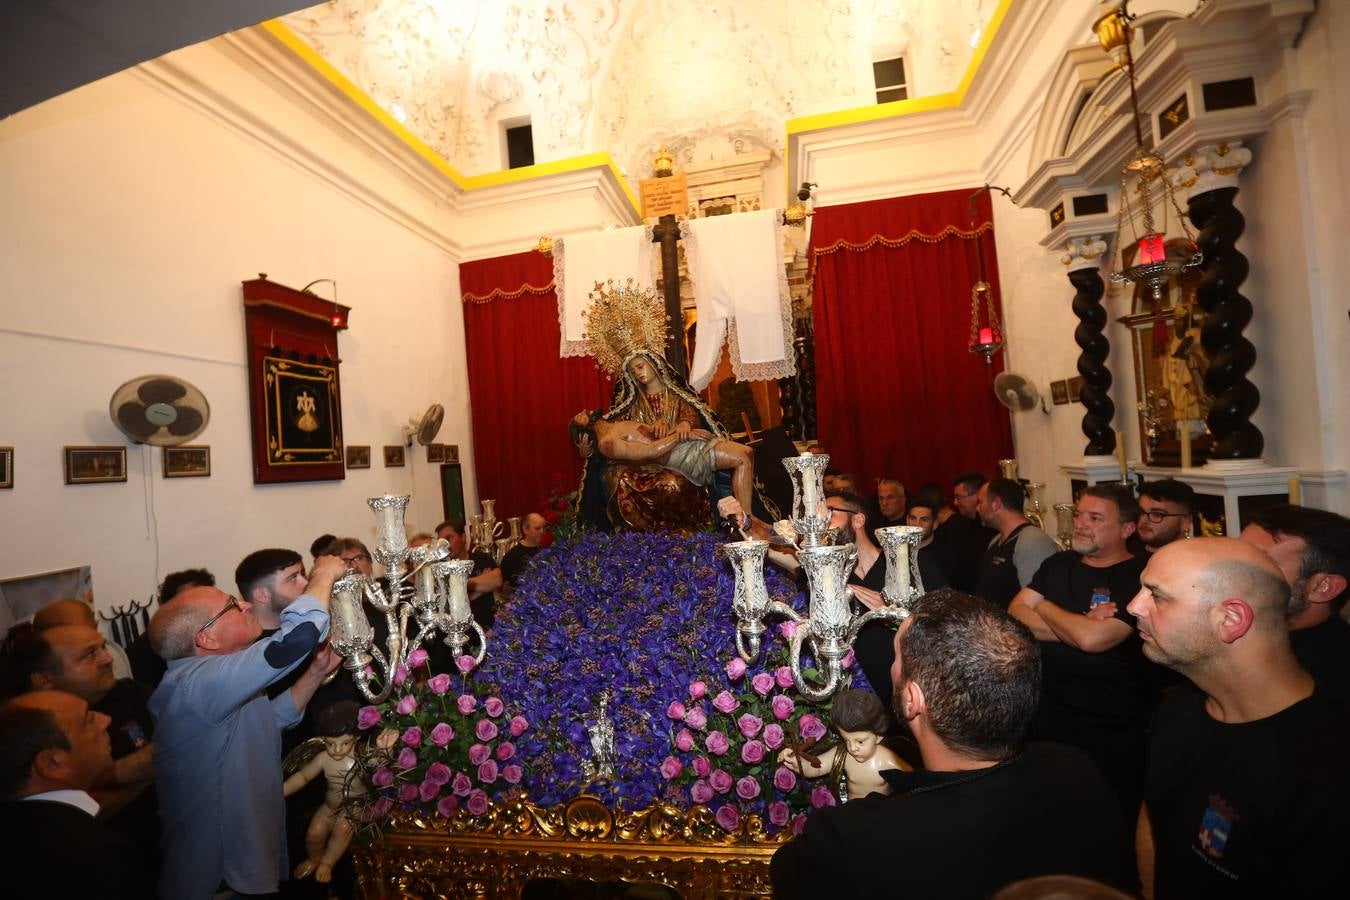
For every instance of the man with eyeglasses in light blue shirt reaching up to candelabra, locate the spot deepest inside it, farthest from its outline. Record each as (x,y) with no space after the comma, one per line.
(218,739)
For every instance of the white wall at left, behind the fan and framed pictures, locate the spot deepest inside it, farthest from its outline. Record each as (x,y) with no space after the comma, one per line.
(132,213)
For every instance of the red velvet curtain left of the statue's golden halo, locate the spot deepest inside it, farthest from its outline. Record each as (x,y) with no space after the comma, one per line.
(522,393)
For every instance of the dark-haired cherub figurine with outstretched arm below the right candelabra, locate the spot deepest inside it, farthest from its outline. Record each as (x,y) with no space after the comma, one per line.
(859,720)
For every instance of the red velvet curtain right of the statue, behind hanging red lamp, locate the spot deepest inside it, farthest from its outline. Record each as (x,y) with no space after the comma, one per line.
(897,392)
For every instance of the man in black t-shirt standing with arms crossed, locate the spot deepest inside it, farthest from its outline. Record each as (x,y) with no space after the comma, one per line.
(1094,696)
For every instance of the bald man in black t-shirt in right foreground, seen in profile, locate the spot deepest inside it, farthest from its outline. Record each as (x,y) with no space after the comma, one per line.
(1247,787)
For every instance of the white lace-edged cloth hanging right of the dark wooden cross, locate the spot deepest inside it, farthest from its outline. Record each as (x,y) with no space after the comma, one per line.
(740,285)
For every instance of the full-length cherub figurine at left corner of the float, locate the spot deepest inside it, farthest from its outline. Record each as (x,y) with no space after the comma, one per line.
(331,828)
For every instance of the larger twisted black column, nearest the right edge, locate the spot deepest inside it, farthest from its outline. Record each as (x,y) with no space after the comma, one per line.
(1228,312)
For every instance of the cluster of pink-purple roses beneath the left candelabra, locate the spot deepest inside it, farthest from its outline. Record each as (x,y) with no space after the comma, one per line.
(454,746)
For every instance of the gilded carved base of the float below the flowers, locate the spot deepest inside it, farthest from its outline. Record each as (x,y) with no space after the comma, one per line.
(515,844)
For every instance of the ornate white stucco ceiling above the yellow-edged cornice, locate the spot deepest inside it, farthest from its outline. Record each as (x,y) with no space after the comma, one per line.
(703,78)
